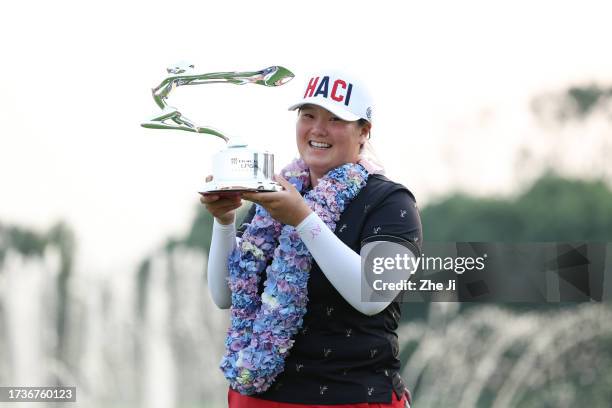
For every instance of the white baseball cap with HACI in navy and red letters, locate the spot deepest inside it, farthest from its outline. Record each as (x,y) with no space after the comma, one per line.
(342,95)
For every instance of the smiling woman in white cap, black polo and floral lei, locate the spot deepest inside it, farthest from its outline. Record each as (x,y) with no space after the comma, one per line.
(301,335)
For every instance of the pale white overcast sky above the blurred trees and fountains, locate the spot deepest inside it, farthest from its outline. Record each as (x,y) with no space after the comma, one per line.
(452,83)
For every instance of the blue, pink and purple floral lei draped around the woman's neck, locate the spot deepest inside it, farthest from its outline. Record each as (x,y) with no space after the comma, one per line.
(262,328)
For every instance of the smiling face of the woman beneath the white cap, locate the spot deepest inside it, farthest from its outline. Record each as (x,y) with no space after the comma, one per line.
(325,141)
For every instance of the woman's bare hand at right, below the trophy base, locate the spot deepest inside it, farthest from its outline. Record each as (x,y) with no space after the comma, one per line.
(287,206)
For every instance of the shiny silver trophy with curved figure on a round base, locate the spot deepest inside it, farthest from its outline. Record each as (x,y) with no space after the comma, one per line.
(237,167)
